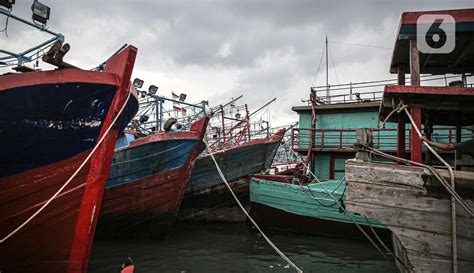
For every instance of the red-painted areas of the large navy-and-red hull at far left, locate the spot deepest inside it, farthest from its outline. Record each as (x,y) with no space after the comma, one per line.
(59,238)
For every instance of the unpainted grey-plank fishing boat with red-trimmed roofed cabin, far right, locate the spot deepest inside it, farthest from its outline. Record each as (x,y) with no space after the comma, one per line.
(425,198)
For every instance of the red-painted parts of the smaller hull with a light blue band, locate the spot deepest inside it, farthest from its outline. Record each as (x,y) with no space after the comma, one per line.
(148,206)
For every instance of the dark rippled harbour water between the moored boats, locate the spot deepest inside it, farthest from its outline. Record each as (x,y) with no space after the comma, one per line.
(207,248)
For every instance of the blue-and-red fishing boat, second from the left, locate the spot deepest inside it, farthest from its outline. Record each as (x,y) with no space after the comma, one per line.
(147,181)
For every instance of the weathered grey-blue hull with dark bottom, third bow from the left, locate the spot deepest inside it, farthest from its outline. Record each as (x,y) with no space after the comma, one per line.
(207,197)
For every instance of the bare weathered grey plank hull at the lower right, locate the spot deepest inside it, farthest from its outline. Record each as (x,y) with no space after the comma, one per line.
(417,209)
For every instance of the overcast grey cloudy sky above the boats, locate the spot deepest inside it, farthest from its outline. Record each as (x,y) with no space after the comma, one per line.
(215,50)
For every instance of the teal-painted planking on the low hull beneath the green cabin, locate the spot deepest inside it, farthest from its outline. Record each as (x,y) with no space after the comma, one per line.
(299,200)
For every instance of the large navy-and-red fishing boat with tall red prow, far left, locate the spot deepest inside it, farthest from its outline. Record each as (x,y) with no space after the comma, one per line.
(58,131)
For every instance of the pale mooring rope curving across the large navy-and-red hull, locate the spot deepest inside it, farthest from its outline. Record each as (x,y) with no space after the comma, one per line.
(71,178)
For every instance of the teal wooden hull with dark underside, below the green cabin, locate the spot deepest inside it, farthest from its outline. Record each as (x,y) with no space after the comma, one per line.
(277,203)
